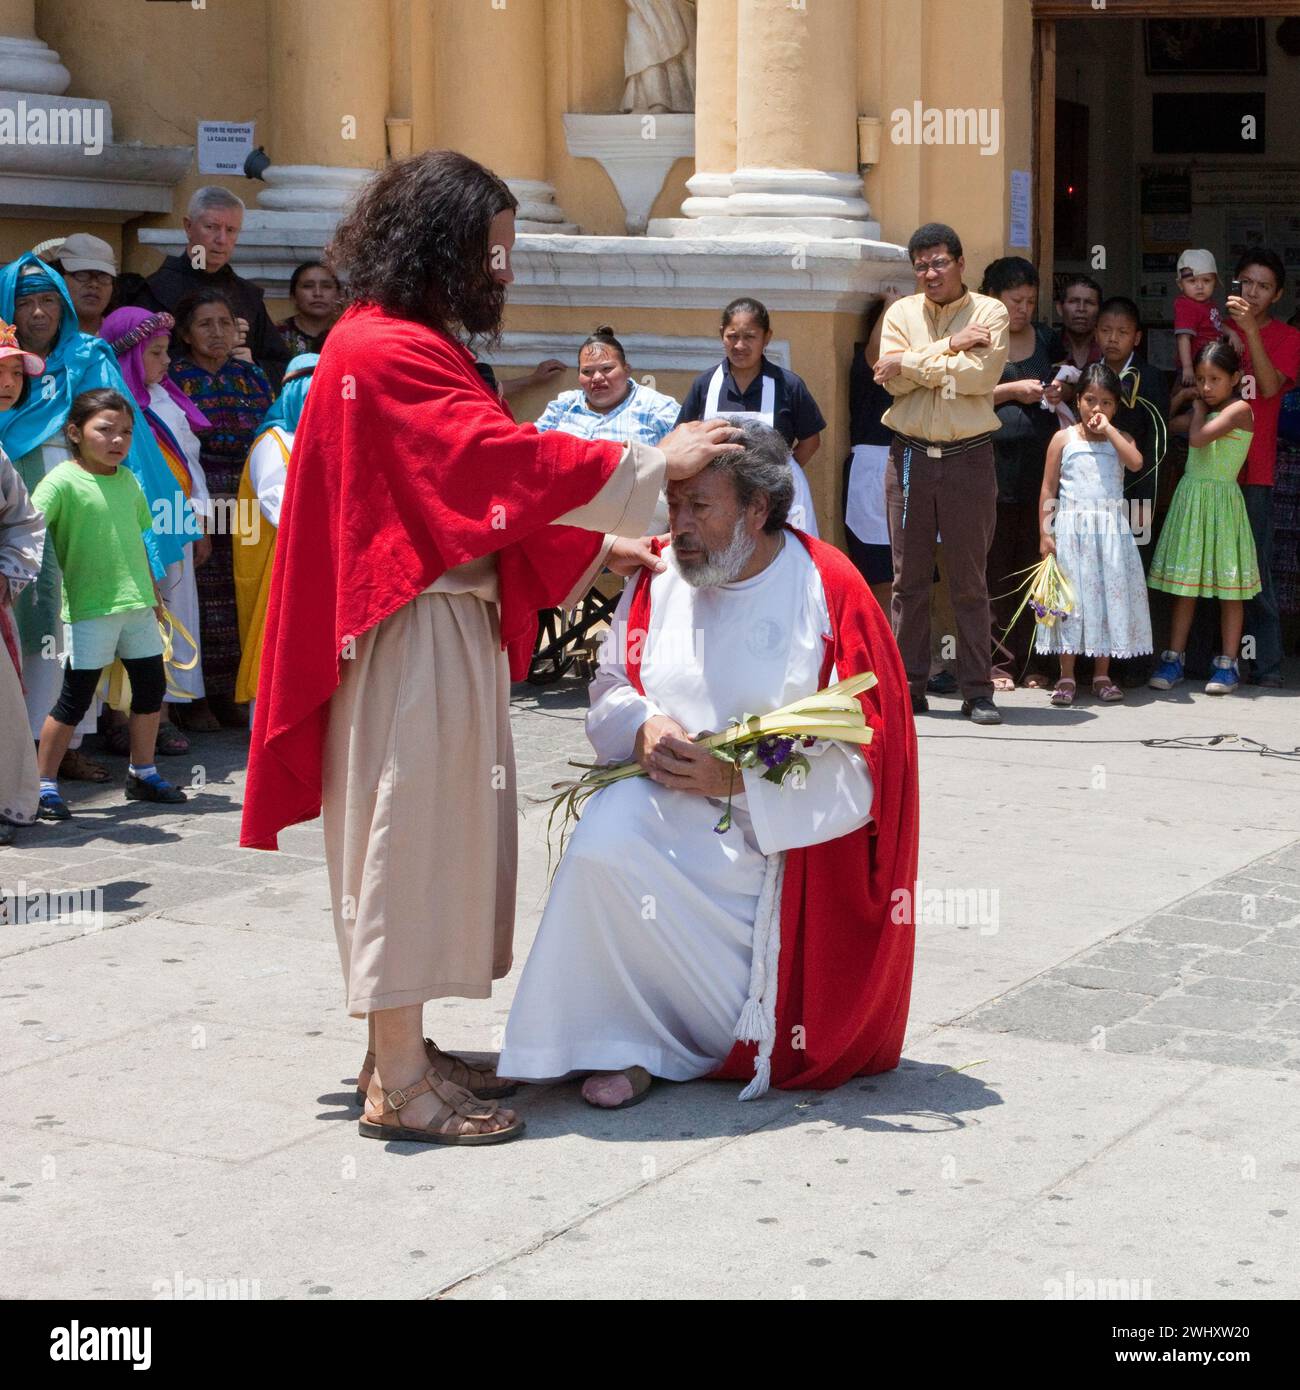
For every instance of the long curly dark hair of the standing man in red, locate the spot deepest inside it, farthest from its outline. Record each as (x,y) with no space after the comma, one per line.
(416,243)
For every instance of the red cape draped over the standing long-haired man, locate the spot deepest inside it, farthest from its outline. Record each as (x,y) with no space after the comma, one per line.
(405,465)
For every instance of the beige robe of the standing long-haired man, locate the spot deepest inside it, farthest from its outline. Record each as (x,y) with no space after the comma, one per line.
(419,793)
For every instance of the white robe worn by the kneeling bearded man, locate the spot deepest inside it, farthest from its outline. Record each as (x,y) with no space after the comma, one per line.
(644,953)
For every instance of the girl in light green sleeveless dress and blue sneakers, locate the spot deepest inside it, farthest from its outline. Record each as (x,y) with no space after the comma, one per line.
(1206,548)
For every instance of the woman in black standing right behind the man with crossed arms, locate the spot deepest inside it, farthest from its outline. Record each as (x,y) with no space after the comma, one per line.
(1020,451)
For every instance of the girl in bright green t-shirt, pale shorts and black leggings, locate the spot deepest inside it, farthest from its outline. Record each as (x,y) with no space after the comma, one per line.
(97,518)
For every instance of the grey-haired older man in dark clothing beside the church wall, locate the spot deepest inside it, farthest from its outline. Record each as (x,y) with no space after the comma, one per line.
(212,231)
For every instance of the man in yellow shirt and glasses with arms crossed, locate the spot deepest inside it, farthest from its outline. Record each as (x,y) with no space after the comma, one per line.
(942,354)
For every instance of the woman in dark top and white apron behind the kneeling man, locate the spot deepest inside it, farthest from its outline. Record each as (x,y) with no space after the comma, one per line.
(749,387)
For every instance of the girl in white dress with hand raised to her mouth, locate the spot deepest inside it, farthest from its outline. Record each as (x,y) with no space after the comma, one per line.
(1084,523)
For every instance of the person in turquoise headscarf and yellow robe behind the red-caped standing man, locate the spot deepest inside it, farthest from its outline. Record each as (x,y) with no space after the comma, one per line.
(262,491)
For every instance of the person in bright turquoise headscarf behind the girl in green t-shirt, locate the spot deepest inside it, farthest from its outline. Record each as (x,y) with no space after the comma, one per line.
(35,298)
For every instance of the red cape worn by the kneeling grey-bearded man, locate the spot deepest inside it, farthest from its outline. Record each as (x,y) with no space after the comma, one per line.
(845,976)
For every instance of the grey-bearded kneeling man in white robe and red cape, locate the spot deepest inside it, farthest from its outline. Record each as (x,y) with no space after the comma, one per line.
(778,950)
